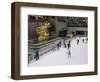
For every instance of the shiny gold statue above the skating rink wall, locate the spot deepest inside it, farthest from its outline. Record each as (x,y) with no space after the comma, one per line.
(42,32)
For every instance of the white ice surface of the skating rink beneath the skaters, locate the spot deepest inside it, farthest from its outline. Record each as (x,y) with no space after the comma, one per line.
(79,55)
